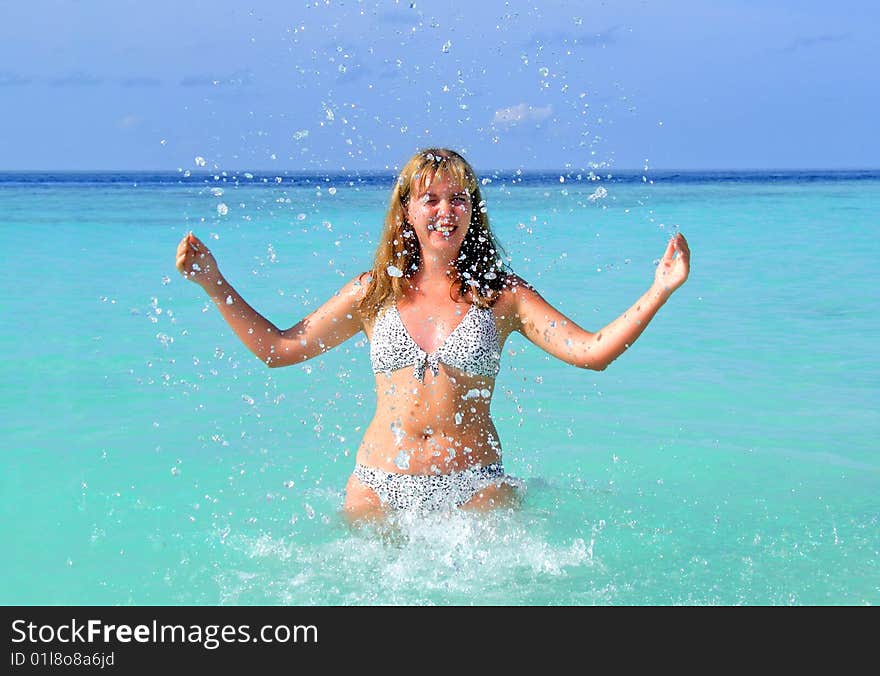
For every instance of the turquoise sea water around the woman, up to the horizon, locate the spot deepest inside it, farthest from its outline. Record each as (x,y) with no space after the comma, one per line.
(728,458)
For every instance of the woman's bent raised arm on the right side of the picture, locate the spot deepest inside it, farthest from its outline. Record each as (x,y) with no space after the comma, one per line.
(555,333)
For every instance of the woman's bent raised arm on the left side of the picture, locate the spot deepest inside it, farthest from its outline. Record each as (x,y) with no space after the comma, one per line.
(333,323)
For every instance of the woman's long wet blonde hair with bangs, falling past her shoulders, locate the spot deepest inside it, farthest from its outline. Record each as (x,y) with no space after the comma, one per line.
(480,269)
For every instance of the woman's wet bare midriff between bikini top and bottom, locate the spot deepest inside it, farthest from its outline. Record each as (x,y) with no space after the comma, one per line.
(436,427)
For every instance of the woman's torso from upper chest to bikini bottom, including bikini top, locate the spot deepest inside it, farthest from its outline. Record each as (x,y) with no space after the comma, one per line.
(435,374)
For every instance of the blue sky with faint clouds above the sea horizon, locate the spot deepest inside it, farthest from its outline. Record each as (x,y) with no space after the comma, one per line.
(360,85)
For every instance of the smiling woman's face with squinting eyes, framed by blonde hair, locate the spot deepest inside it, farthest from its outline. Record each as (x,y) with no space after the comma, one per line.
(440,215)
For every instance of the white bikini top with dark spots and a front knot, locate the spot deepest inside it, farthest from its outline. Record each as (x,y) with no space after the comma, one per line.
(472,347)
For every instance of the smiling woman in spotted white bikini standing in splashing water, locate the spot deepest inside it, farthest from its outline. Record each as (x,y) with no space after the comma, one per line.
(437,307)
